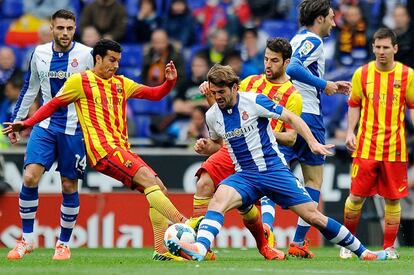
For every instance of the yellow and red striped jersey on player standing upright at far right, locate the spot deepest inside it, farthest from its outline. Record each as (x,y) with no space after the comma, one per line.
(382,97)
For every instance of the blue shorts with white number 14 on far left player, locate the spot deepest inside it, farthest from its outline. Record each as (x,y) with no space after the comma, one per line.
(45,147)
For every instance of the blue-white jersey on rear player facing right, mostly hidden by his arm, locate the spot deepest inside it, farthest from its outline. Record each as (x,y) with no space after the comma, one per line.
(307,47)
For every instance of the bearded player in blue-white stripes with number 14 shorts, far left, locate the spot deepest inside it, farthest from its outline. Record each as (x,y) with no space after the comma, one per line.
(55,139)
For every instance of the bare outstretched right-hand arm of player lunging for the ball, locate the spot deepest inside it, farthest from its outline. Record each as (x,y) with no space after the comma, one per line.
(302,128)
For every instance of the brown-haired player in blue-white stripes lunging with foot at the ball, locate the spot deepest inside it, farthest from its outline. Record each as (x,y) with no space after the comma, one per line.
(242,121)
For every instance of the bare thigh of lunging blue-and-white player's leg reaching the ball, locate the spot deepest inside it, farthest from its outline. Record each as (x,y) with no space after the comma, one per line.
(225,199)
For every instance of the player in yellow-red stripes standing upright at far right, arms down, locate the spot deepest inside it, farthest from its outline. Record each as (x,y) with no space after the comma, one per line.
(381,90)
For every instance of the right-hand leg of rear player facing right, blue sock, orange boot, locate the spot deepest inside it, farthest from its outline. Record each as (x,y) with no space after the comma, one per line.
(312,176)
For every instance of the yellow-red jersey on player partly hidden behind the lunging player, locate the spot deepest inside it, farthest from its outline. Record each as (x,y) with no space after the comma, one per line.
(284,94)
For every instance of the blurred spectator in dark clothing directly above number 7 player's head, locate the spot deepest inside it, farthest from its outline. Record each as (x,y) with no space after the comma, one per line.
(109,18)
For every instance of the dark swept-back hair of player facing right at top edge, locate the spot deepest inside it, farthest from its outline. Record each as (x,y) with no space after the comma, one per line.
(309,10)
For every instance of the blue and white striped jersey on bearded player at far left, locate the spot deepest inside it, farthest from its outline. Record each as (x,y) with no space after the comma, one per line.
(48,71)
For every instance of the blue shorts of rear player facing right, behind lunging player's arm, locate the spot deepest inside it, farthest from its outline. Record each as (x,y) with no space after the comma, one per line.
(300,150)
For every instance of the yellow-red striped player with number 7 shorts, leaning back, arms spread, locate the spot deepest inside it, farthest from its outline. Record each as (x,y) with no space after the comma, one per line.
(100,101)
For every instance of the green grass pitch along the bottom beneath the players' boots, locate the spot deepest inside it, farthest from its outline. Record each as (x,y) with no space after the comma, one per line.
(230,261)
